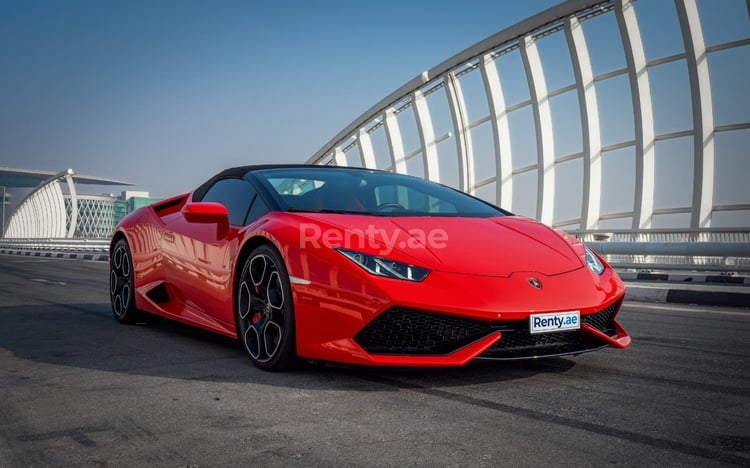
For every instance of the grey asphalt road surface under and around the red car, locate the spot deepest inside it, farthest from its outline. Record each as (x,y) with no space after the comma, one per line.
(79,389)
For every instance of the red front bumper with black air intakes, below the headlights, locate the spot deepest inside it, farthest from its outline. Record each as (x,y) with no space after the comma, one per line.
(452,319)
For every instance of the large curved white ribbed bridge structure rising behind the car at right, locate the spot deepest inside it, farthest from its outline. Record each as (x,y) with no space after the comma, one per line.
(560,187)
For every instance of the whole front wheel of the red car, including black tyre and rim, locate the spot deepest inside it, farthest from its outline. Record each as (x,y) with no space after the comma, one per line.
(264,310)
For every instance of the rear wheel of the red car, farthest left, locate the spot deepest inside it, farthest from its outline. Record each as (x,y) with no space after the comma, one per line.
(122,284)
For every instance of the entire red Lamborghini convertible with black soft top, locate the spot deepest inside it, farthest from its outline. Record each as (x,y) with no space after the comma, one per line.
(363,267)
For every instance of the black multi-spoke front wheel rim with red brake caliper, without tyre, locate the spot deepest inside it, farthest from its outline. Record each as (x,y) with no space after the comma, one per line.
(261,307)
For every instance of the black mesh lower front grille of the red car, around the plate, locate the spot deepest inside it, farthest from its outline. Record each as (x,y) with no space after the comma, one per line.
(414,332)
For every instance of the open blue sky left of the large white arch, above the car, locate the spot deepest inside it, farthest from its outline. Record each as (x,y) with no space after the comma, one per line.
(166,93)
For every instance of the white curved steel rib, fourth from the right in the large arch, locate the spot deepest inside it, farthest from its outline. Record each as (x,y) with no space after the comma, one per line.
(545,201)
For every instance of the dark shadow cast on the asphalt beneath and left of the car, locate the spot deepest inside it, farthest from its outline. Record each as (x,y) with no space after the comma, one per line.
(86,336)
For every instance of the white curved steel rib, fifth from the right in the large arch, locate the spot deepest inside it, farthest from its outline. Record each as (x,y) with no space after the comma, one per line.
(501,132)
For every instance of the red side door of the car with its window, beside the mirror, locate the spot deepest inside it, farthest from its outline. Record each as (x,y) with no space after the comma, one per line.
(202,254)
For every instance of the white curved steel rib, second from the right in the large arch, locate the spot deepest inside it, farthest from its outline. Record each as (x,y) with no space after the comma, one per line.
(643,114)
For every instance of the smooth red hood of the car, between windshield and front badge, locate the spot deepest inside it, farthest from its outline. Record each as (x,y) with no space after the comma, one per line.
(497,246)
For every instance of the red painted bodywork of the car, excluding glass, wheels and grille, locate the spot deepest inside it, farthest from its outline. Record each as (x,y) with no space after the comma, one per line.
(482,273)
